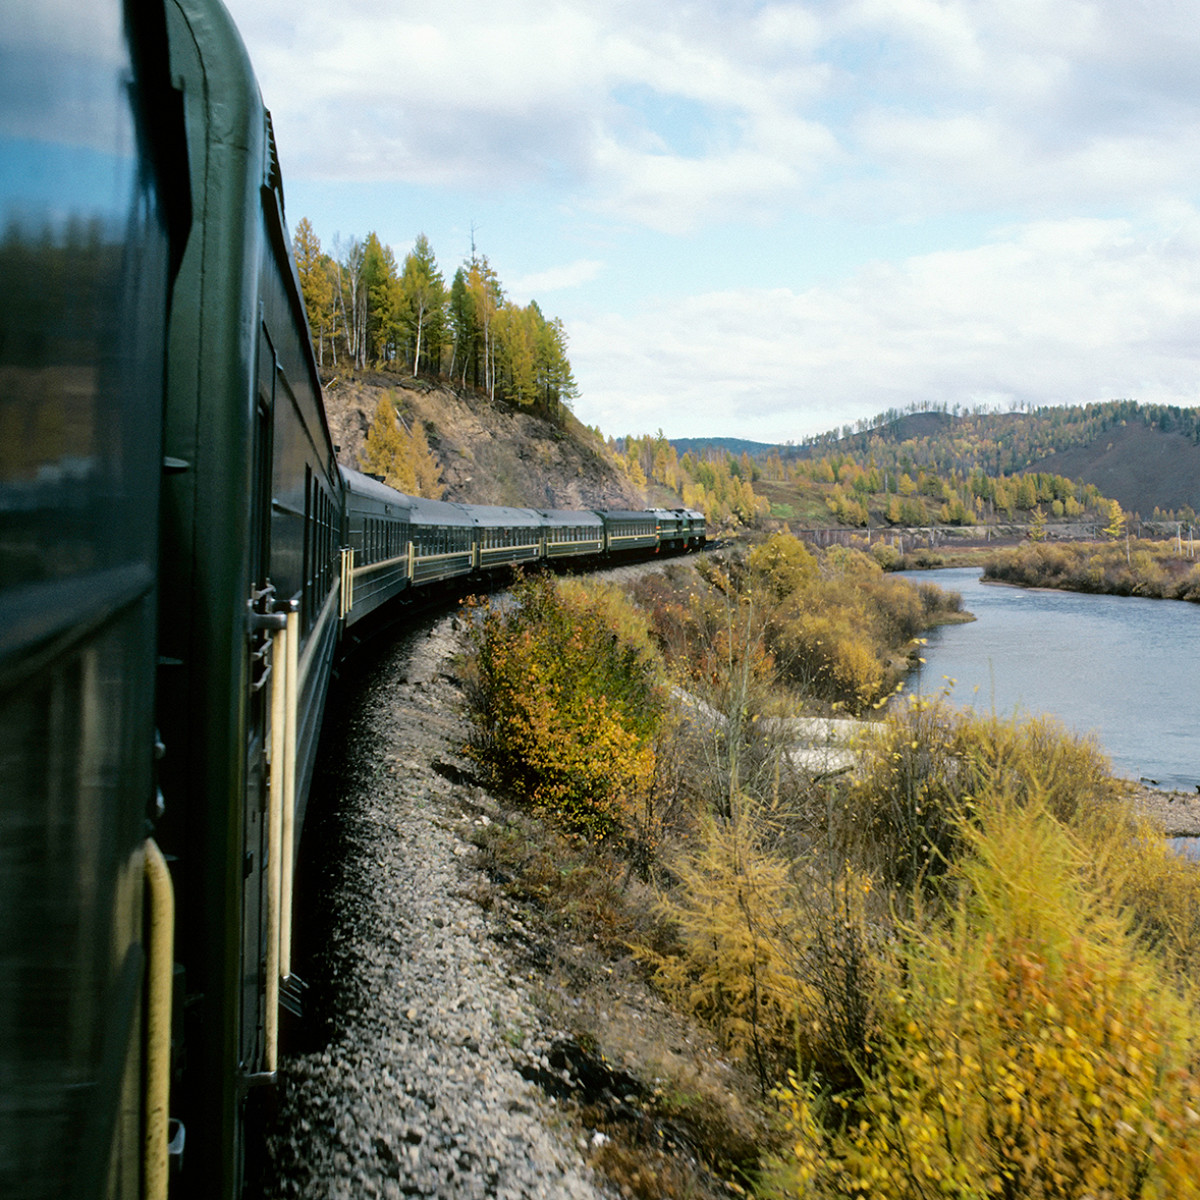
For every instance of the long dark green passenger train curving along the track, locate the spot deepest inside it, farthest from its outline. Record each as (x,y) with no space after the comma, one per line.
(183,561)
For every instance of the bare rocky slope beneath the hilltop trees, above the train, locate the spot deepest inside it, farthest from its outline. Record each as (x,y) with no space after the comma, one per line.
(490,453)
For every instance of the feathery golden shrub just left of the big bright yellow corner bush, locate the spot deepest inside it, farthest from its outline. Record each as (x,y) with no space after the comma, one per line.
(777,963)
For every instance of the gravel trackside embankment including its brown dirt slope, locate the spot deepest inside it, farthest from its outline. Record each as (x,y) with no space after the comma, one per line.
(465,1045)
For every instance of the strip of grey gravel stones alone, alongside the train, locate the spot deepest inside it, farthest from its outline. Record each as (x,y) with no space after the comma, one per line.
(417,1089)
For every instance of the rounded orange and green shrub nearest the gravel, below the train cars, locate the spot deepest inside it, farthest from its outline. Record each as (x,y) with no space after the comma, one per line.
(566,700)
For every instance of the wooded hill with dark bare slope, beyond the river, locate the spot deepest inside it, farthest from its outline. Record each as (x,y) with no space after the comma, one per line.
(969,466)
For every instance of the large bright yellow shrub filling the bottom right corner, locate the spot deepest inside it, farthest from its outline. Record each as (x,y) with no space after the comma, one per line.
(1029,1046)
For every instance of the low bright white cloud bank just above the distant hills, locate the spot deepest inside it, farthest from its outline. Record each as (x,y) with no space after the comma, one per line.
(1065,311)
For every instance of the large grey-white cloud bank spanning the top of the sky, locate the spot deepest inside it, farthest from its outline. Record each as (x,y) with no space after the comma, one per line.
(914,106)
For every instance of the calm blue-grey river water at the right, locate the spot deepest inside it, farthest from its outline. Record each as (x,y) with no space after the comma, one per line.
(1123,669)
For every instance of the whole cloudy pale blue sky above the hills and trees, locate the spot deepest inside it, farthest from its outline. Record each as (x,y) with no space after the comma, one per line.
(771,220)
